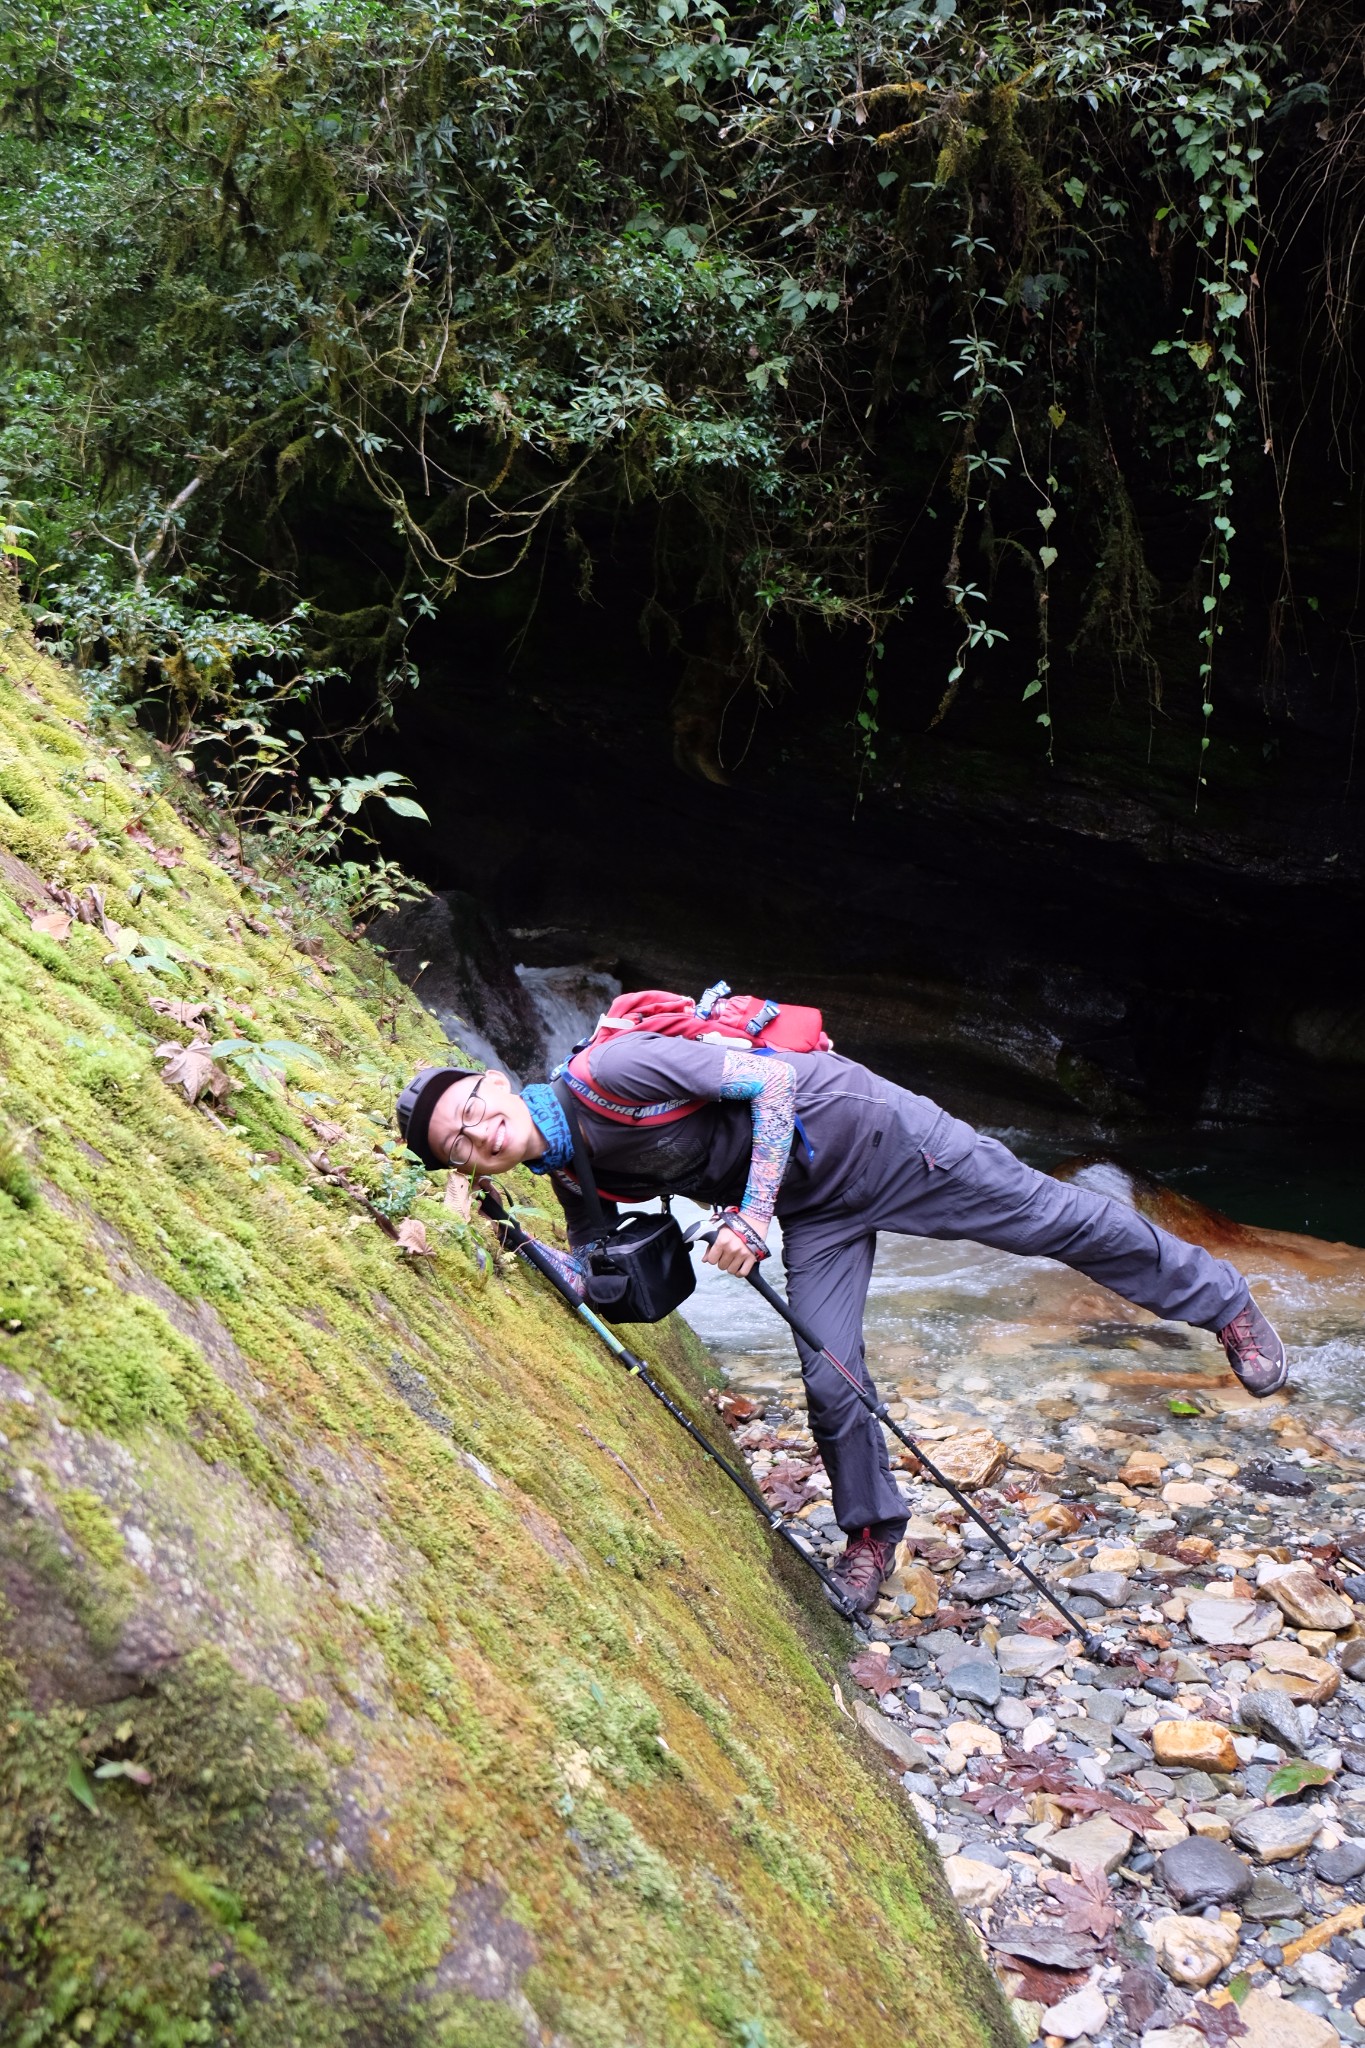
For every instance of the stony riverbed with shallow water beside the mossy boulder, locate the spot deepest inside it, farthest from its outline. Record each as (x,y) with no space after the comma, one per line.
(1159,1834)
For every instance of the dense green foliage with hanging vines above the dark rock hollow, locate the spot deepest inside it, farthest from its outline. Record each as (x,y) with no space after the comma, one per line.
(320,314)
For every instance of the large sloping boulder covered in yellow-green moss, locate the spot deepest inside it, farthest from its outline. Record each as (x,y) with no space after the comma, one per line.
(382,1666)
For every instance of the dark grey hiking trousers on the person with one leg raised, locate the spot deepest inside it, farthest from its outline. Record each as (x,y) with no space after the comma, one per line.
(951,1183)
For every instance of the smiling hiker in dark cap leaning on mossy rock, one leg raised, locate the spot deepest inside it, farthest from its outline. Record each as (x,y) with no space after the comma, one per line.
(836,1154)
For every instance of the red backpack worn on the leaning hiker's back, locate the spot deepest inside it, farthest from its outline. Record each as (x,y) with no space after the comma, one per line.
(721,1019)
